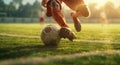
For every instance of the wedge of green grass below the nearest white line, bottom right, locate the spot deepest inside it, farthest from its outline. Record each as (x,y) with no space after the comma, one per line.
(88,60)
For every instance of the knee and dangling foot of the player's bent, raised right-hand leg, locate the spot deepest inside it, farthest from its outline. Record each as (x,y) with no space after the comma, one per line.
(82,11)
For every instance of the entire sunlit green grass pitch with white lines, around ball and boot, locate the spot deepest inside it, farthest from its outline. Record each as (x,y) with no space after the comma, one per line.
(96,44)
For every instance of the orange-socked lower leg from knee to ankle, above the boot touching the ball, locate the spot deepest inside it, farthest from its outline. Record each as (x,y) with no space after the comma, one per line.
(57,15)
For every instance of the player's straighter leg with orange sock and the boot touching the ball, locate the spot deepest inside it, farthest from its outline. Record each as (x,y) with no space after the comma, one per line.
(65,32)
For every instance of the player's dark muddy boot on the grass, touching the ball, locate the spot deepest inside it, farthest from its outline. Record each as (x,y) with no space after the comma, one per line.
(67,33)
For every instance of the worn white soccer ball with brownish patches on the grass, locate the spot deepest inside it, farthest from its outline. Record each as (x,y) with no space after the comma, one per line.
(50,35)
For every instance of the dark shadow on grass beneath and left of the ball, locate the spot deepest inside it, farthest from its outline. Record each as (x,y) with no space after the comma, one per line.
(10,52)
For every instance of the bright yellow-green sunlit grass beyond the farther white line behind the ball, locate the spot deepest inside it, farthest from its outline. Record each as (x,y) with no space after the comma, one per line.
(109,32)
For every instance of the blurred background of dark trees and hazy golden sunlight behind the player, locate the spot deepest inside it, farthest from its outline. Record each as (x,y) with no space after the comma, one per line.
(29,11)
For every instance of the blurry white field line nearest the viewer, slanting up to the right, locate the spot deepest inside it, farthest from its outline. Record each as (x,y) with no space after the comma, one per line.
(35,60)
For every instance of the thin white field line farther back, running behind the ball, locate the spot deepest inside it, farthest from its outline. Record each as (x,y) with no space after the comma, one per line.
(78,40)
